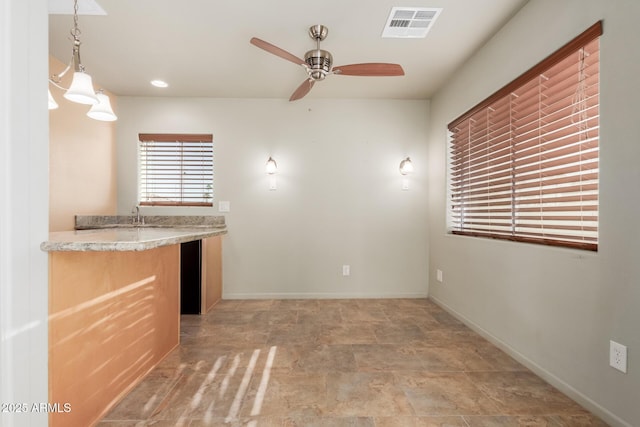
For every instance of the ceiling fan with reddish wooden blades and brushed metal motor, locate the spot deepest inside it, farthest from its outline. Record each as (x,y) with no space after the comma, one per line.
(318,63)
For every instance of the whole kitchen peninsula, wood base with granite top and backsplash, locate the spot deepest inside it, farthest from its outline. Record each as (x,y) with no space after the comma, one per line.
(114,304)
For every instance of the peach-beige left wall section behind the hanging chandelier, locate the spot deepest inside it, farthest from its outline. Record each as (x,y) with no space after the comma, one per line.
(82,162)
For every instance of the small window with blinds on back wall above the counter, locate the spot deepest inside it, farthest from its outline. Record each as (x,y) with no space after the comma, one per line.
(176,169)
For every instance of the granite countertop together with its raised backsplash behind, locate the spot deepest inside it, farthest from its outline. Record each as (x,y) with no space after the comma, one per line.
(121,233)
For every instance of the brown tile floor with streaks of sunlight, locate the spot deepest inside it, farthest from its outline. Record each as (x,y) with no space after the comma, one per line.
(384,363)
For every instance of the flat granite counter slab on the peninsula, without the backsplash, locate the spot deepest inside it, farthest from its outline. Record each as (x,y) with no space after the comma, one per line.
(125,239)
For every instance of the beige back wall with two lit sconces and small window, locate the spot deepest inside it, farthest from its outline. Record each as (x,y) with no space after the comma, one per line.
(339,198)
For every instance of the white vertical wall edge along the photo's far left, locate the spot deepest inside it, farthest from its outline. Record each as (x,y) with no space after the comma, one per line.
(24,209)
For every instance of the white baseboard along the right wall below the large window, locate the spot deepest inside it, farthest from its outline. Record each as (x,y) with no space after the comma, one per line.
(585,401)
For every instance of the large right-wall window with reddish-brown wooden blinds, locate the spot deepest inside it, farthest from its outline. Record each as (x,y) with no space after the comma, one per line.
(524,162)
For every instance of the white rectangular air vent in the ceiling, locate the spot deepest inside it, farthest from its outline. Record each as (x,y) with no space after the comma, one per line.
(410,22)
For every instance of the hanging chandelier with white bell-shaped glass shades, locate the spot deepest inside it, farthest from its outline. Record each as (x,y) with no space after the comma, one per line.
(81,89)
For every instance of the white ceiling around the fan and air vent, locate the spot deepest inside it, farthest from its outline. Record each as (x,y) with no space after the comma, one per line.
(201,47)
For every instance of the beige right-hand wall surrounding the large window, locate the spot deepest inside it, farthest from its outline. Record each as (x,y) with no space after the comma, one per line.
(555,309)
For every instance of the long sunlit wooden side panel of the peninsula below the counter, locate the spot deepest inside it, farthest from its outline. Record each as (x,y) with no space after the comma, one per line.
(113,316)
